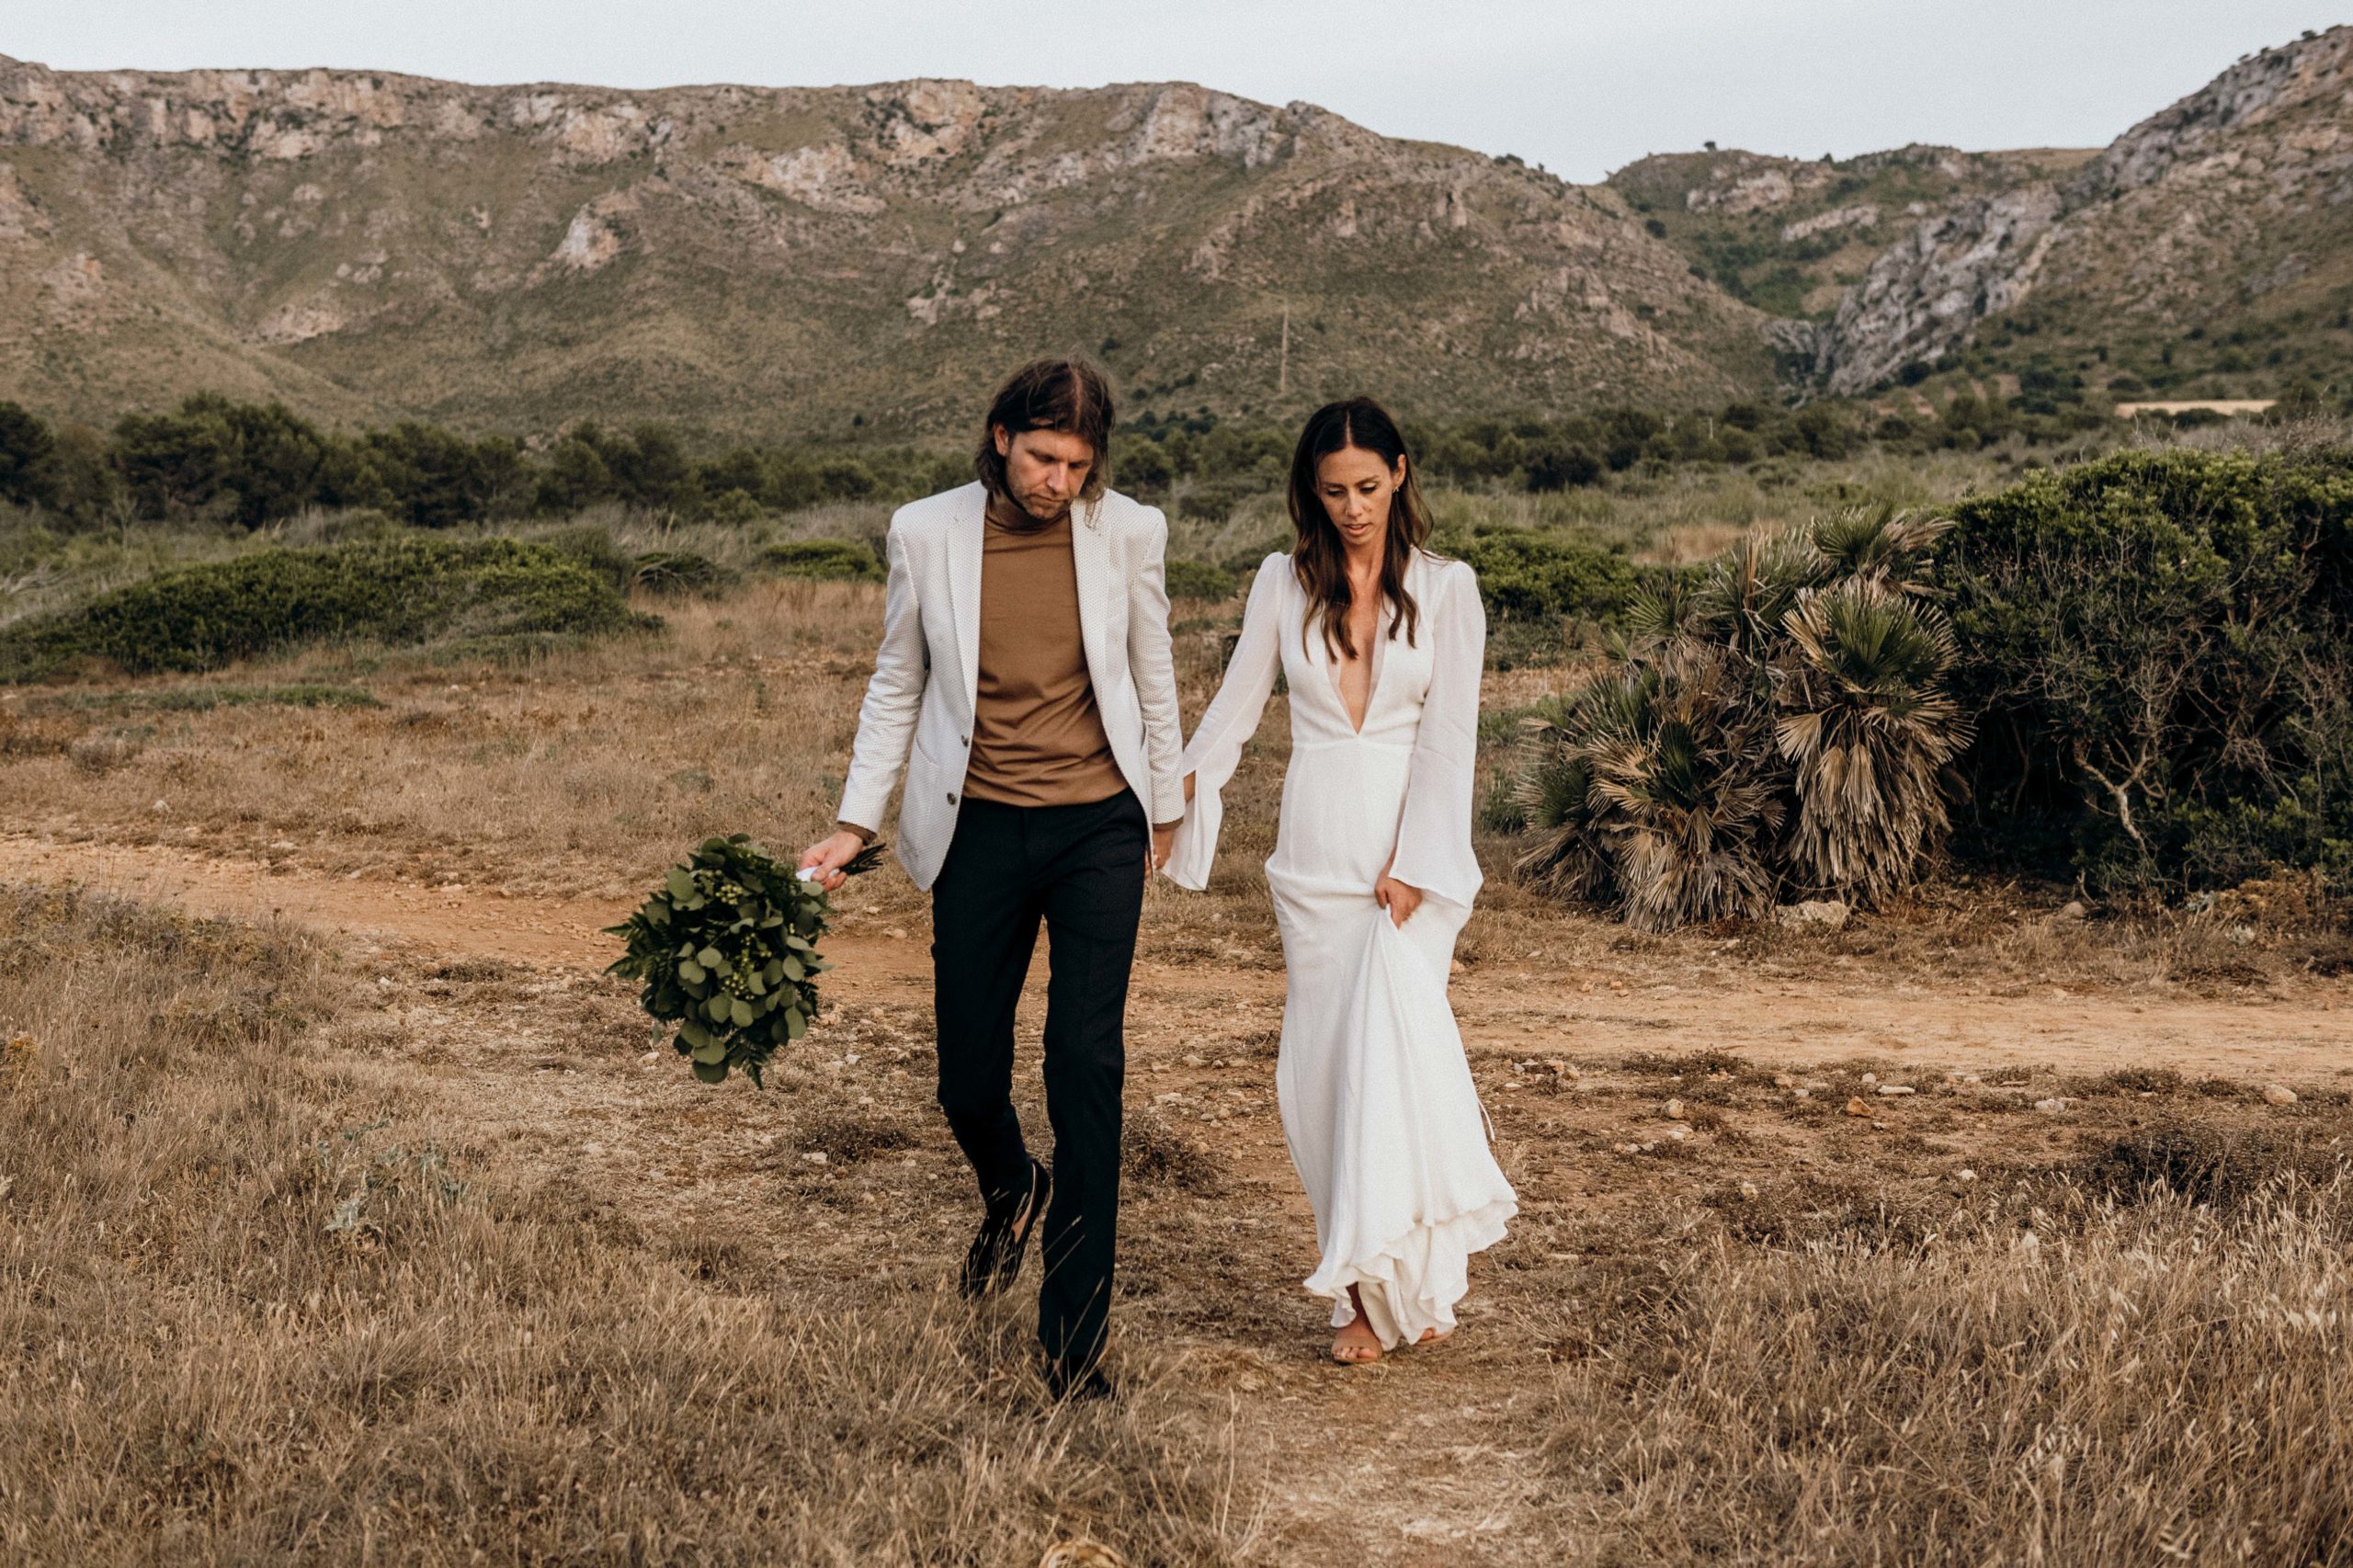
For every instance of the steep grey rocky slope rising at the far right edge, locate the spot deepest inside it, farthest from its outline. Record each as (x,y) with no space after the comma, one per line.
(2211,248)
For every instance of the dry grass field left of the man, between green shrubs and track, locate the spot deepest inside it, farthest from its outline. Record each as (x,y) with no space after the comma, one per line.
(545,778)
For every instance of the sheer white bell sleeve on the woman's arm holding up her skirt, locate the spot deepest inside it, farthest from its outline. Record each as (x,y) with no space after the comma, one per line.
(1434,832)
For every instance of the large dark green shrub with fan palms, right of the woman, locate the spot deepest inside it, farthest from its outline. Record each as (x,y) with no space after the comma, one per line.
(2138,670)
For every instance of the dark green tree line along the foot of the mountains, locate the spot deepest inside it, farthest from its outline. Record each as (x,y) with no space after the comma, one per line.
(241,465)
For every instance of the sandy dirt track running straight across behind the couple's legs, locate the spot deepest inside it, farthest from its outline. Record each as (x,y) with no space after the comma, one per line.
(1514,1009)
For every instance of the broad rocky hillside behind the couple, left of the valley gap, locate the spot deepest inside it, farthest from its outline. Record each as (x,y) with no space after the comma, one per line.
(773,263)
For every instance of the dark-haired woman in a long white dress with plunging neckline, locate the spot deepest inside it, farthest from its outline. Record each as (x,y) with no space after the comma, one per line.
(1373,877)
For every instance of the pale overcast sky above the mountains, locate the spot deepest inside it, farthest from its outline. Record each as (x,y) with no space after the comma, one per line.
(1578,86)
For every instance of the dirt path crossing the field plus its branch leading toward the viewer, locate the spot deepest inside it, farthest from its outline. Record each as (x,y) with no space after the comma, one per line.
(1420,1461)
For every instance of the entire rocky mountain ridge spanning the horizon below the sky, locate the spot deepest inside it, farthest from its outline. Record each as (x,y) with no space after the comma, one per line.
(860,260)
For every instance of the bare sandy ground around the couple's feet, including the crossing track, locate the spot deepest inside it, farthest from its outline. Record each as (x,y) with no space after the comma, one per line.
(1427,1456)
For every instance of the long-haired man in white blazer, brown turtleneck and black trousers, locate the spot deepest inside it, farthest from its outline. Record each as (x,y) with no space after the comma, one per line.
(1027,663)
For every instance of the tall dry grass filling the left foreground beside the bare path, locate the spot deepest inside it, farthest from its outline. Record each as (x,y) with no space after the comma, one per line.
(255,1305)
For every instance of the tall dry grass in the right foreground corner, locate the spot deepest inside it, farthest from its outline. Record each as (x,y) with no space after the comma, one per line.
(2140,1381)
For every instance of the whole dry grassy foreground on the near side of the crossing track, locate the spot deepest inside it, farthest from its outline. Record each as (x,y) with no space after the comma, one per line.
(347,1258)
